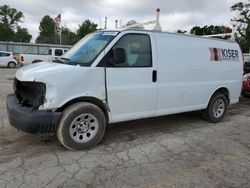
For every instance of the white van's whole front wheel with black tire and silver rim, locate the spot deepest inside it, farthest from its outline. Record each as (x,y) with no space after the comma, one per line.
(76,131)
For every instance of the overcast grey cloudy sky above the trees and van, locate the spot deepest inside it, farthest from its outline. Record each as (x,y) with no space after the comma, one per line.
(175,14)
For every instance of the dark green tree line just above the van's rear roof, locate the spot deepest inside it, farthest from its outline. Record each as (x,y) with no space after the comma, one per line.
(210,30)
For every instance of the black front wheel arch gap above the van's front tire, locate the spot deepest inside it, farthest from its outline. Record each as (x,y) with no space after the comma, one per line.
(104,107)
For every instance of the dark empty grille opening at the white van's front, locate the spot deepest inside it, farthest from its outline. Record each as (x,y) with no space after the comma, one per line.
(31,94)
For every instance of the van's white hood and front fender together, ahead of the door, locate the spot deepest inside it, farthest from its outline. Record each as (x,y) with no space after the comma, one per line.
(64,82)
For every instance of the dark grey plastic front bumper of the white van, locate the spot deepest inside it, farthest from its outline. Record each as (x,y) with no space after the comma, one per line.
(30,120)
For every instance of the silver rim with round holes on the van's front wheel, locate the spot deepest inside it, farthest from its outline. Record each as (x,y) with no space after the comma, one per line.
(83,128)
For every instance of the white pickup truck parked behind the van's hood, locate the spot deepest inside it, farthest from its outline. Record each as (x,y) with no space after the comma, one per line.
(53,54)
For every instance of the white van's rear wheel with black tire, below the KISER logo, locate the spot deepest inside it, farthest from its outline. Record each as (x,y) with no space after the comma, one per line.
(216,109)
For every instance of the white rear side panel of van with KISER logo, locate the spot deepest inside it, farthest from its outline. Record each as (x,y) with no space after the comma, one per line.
(191,69)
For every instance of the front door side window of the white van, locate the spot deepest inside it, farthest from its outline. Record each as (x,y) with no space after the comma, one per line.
(132,50)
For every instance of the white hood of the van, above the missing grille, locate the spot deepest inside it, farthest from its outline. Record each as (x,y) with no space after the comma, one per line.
(34,71)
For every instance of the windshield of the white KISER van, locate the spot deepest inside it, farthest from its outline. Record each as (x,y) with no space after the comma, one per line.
(86,50)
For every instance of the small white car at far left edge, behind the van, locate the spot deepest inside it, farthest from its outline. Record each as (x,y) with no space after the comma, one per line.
(7,59)
